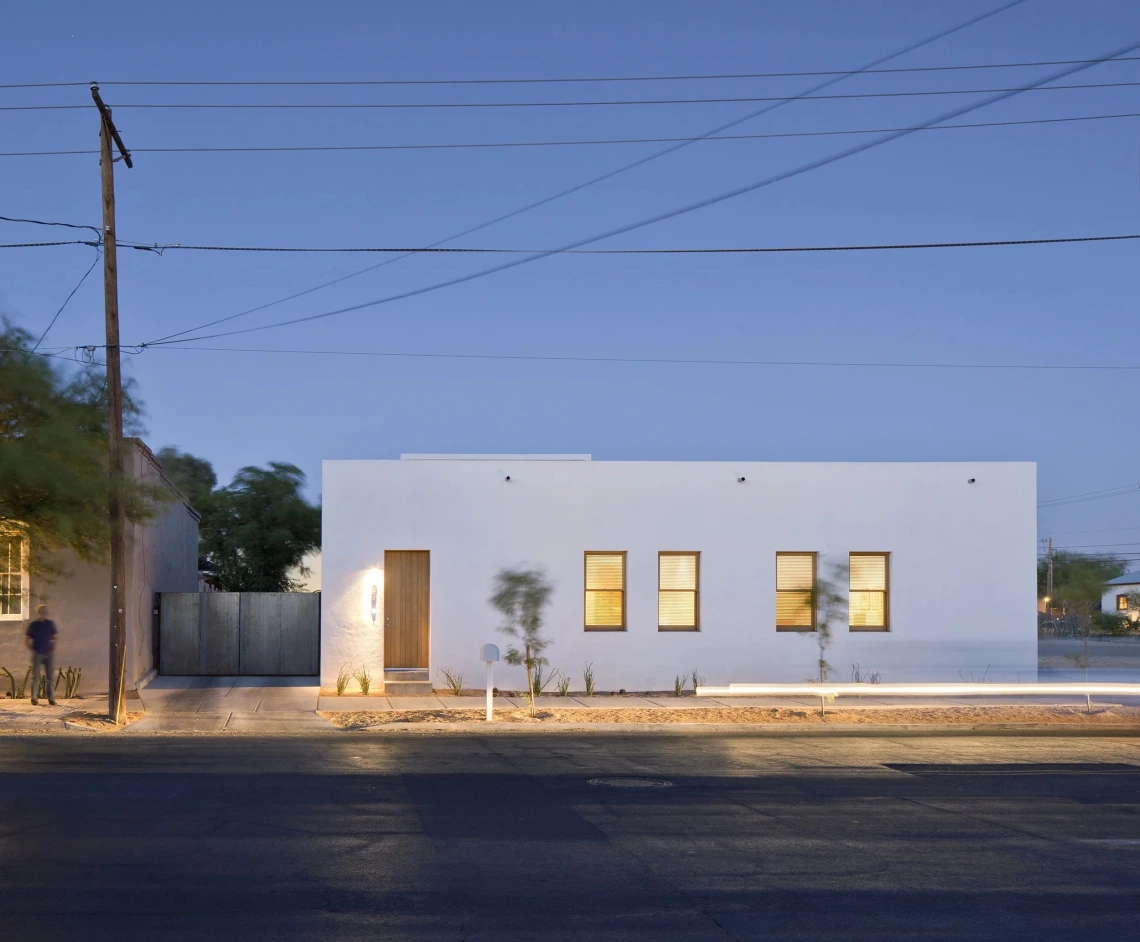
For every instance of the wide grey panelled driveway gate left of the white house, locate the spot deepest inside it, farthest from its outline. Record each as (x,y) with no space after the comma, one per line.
(233,634)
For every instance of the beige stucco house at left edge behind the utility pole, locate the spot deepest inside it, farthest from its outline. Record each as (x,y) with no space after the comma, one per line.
(161,557)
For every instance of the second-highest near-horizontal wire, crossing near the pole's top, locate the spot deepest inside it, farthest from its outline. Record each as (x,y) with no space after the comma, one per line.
(582,104)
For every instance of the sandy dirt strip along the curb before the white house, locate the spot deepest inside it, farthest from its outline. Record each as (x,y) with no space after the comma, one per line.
(885,717)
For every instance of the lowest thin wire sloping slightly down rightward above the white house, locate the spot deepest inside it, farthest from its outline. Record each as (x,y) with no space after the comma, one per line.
(653,361)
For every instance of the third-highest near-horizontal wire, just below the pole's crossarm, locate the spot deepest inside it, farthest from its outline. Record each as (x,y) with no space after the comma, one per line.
(584,143)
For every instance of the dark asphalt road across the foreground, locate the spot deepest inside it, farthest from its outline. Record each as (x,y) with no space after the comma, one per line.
(506,839)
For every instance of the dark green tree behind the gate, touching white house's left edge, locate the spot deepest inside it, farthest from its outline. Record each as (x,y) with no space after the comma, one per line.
(258,529)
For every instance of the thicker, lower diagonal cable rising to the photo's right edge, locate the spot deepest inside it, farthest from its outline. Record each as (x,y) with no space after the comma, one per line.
(661,217)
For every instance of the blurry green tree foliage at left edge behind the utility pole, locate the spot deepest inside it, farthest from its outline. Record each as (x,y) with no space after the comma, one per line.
(55,489)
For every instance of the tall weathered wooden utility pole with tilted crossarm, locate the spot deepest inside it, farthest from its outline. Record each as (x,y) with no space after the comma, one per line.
(117,699)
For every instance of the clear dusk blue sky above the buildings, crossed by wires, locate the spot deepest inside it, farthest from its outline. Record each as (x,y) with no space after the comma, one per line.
(1045,305)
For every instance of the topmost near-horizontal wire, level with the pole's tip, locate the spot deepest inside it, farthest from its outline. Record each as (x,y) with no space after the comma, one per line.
(568,80)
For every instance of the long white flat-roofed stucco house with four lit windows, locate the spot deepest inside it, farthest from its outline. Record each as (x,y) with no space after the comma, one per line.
(662,569)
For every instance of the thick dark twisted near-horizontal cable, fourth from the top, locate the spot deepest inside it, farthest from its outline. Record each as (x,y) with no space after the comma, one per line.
(711,251)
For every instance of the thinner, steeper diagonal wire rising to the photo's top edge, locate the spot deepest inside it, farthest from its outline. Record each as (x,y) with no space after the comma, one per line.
(628,167)
